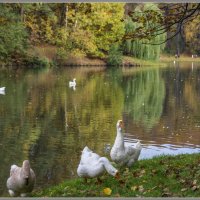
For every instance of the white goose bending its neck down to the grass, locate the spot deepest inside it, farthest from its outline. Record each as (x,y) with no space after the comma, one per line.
(92,165)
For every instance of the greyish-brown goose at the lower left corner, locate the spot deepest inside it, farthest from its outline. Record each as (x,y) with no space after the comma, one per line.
(21,180)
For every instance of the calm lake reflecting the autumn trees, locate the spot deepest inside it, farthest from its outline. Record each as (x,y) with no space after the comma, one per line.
(45,121)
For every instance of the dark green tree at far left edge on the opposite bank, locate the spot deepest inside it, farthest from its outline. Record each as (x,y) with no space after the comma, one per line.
(13,36)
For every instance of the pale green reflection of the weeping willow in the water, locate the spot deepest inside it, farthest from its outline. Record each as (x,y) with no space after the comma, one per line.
(145,93)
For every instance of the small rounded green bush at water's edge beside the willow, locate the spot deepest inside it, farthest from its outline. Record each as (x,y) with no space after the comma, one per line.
(114,56)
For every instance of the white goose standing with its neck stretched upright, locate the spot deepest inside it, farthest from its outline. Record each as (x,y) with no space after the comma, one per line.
(122,154)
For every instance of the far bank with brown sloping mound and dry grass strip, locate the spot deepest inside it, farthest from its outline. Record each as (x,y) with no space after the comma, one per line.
(47,56)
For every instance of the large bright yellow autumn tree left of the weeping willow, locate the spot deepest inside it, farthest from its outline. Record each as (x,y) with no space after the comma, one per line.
(100,23)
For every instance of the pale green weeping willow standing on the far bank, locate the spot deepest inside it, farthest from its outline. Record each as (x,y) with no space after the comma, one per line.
(140,48)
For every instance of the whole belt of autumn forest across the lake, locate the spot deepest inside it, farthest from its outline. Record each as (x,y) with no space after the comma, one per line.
(43,33)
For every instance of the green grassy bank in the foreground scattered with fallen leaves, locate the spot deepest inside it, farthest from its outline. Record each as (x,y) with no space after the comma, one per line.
(166,176)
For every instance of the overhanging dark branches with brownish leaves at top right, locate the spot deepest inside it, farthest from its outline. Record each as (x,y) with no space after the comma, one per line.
(176,15)
